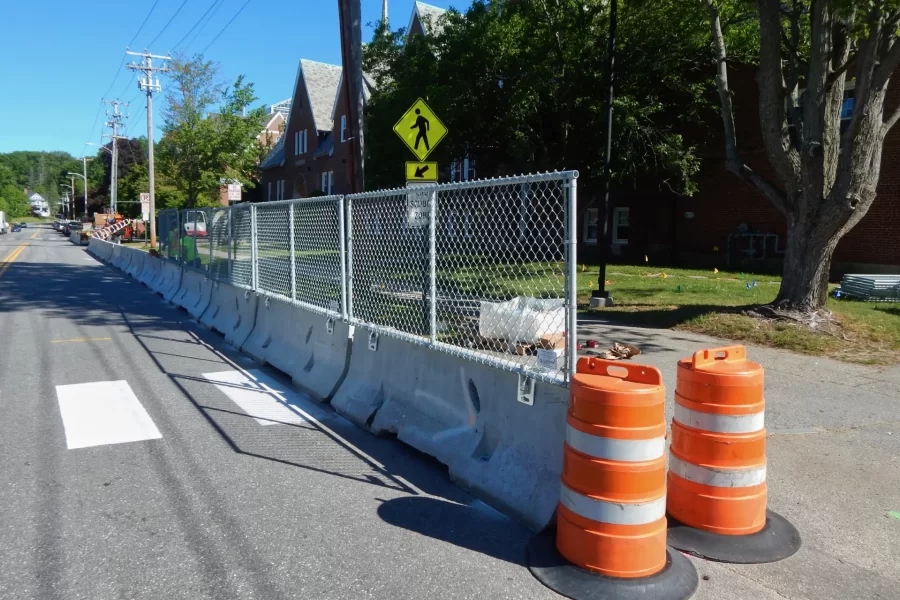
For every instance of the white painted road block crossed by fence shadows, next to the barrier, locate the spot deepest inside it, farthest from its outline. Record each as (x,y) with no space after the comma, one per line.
(264,398)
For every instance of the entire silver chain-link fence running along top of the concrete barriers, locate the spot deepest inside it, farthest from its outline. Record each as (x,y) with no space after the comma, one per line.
(481,269)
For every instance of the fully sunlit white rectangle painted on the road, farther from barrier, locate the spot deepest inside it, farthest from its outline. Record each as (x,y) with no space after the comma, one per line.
(102,413)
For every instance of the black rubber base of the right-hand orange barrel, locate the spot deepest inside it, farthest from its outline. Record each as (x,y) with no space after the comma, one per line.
(776,541)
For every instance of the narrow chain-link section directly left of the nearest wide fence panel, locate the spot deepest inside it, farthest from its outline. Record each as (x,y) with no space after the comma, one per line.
(317,257)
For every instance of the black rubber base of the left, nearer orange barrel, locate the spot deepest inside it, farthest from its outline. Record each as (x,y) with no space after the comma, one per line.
(677,581)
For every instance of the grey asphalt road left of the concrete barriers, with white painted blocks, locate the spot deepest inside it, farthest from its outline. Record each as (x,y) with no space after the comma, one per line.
(213,497)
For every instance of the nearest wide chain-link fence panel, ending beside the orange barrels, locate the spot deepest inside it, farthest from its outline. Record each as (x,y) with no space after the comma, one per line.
(483,269)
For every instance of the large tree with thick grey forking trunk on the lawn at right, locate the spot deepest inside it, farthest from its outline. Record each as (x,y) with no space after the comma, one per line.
(826,176)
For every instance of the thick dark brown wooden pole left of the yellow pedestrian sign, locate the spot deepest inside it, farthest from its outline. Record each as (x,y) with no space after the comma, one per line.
(351,63)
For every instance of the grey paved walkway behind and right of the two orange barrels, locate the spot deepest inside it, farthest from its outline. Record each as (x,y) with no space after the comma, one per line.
(834,468)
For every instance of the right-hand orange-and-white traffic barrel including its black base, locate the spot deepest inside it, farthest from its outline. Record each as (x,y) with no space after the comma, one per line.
(717,467)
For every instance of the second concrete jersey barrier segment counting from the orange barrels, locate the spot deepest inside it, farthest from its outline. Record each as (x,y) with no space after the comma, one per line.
(297,342)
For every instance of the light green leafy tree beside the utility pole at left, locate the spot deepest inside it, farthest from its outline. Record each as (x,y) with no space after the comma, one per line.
(199,148)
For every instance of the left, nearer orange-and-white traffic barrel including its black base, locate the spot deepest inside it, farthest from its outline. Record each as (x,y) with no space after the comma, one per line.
(611,524)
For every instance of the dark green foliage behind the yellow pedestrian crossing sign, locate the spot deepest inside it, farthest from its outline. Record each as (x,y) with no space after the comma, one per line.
(522,87)
